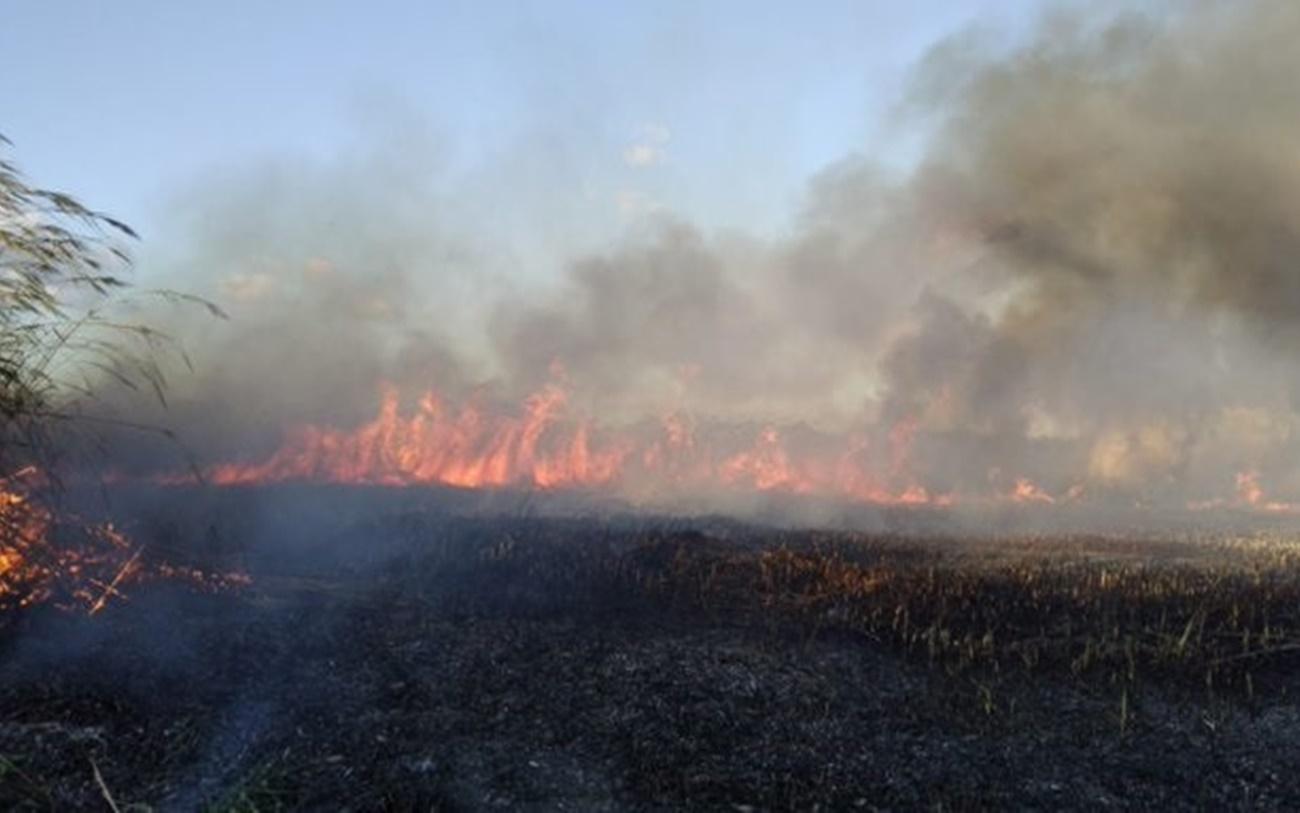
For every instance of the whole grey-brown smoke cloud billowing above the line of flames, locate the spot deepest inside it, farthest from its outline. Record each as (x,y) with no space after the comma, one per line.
(1086,282)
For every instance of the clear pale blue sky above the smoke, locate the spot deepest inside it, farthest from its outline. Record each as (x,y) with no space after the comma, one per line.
(584,113)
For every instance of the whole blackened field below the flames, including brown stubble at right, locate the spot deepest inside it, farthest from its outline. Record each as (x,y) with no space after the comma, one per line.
(436,651)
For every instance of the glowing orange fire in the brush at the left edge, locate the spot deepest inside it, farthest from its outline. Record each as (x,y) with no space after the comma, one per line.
(73,564)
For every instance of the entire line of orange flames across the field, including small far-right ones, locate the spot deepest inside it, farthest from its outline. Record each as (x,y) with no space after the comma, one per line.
(543,446)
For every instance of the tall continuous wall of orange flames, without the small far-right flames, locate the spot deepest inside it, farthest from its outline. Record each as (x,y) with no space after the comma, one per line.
(544,447)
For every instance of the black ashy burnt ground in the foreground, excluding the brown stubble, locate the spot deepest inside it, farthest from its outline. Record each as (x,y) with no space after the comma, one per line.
(544,664)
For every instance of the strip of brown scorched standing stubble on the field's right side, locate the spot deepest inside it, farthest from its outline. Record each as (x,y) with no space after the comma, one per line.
(1119,612)
